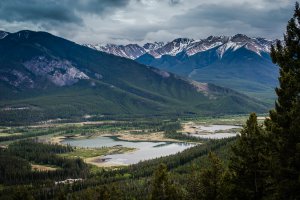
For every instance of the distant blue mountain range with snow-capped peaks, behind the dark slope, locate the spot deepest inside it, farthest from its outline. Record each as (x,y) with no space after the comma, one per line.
(238,62)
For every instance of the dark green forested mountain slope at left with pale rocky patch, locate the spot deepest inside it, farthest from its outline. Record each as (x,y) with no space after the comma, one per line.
(45,77)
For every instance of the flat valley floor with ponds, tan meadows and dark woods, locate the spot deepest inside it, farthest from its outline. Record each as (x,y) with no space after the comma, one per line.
(60,151)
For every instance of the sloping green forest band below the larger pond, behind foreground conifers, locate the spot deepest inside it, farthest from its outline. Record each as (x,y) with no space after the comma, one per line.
(132,182)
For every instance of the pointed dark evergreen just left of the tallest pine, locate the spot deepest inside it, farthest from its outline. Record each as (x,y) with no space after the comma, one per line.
(249,163)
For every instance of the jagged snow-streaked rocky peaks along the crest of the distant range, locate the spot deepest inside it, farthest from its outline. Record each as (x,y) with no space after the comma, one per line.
(188,46)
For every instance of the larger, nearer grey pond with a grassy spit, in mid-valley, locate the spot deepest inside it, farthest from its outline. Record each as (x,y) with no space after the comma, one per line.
(145,150)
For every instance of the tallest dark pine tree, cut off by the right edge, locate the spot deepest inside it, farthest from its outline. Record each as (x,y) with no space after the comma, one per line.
(284,122)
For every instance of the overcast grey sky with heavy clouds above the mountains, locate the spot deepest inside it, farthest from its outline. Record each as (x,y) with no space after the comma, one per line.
(139,21)
